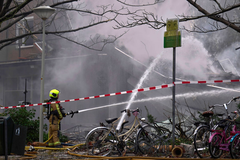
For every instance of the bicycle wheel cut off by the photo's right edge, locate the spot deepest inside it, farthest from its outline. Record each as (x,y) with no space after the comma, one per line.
(235,147)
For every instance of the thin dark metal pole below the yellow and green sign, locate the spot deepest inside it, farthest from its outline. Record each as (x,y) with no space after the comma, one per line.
(173,97)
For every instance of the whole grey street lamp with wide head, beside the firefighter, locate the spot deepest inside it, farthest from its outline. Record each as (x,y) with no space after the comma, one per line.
(44,12)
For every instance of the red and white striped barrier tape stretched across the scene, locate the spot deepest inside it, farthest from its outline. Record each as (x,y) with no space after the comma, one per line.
(126,92)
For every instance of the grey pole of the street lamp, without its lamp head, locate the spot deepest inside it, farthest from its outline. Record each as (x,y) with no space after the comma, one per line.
(42,87)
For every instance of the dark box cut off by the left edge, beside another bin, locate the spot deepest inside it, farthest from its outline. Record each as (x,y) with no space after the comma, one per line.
(6,134)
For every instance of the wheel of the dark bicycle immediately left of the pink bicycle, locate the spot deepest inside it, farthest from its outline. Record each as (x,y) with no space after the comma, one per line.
(200,140)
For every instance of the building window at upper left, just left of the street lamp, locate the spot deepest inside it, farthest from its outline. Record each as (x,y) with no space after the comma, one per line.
(23,27)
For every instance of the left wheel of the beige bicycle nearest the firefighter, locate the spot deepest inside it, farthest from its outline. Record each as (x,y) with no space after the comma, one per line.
(100,142)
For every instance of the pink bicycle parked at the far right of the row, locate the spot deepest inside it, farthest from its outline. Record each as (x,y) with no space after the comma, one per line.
(219,141)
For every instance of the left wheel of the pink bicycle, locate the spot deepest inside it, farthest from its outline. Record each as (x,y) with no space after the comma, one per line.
(214,146)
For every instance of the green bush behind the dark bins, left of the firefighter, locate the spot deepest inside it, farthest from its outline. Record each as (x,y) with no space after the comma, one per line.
(24,117)
